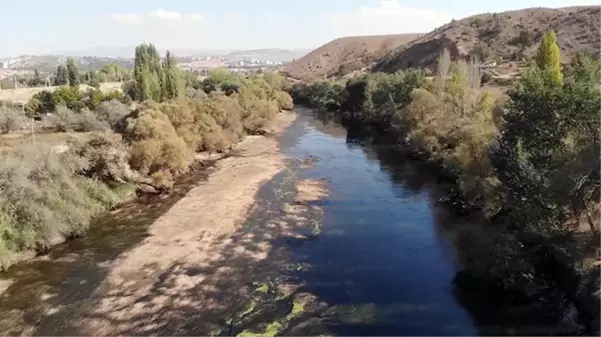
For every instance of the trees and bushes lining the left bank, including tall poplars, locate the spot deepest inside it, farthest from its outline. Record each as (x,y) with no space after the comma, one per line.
(146,135)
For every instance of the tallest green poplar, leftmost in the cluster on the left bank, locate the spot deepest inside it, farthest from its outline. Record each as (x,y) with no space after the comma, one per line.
(147,73)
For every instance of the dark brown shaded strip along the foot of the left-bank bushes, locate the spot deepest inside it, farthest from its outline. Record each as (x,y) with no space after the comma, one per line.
(43,293)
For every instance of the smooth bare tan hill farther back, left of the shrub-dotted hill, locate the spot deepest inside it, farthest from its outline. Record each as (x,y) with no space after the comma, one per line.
(345,55)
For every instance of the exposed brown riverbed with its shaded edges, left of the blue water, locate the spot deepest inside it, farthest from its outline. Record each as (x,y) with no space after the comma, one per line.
(174,267)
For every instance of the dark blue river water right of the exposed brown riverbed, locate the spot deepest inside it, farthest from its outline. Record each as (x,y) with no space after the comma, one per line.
(382,257)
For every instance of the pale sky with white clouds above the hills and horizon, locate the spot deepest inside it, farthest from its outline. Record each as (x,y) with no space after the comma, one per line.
(43,26)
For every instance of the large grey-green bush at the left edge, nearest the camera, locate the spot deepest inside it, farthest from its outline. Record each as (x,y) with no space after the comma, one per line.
(43,199)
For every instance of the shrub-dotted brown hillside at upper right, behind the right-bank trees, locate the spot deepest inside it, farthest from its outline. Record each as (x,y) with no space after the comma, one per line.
(512,35)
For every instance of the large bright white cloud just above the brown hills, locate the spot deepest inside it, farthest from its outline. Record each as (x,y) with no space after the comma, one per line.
(390,17)
